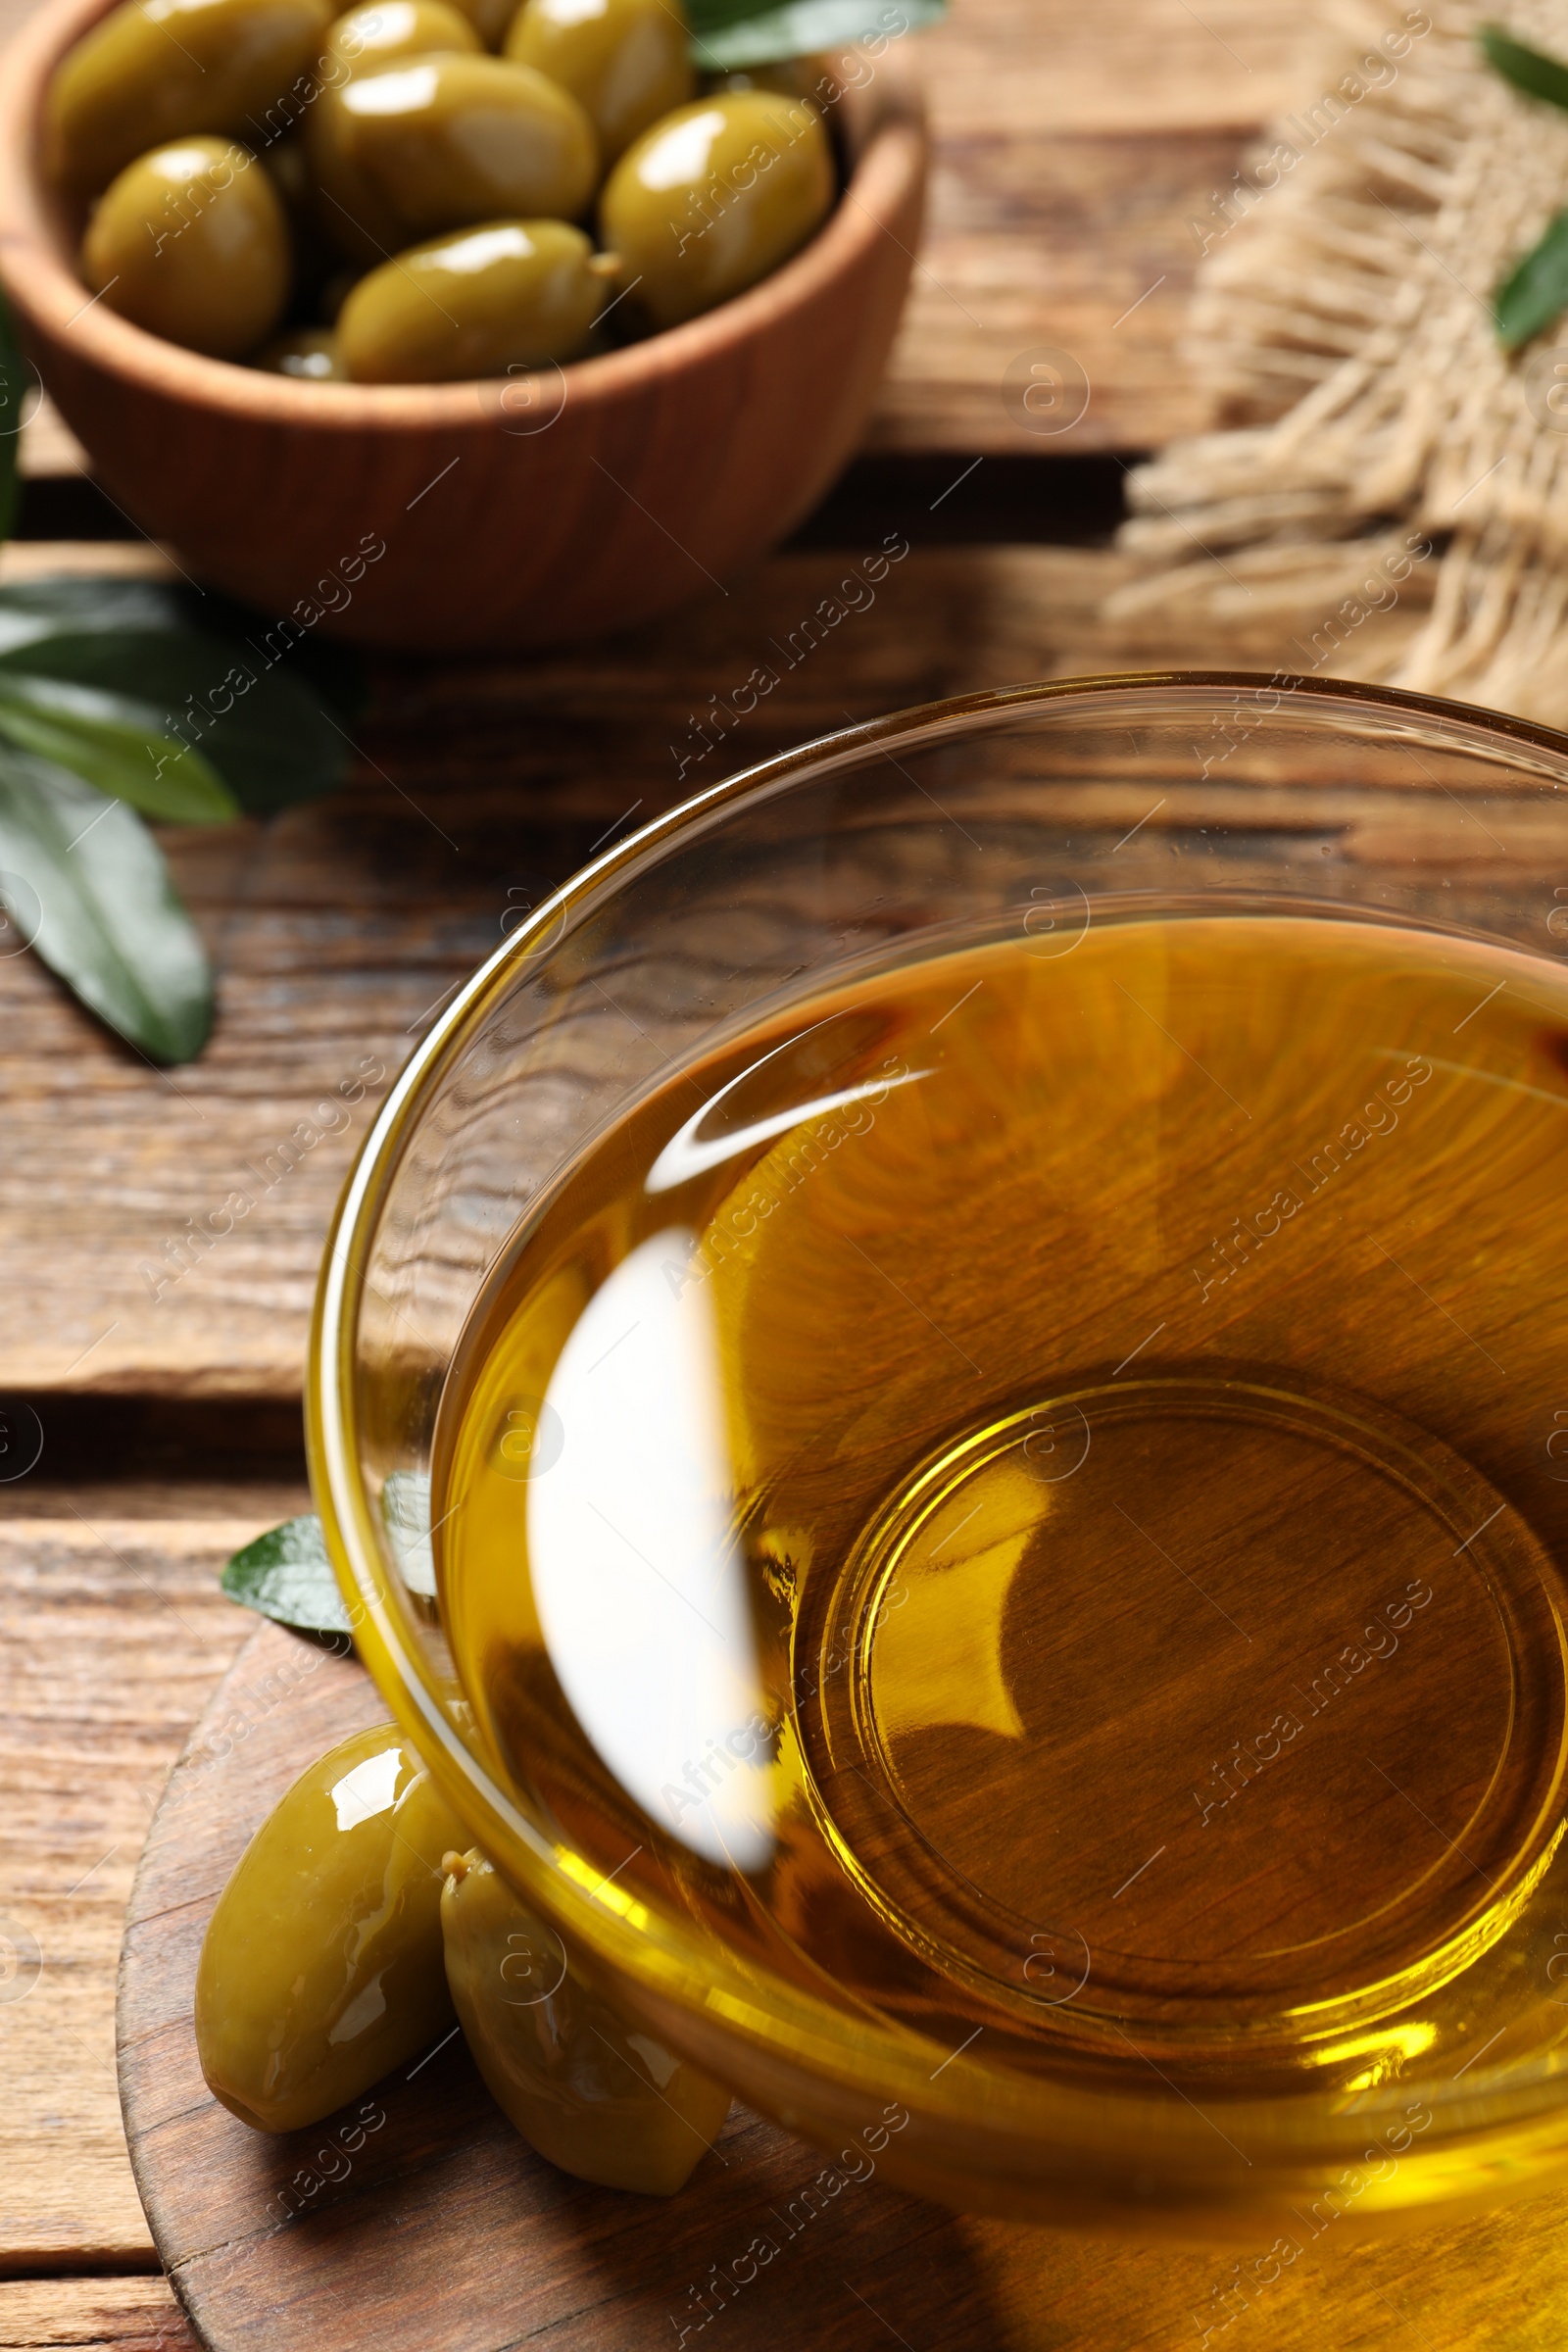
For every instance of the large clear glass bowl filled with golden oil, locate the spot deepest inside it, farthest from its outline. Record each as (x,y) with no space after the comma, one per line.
(1294,1930)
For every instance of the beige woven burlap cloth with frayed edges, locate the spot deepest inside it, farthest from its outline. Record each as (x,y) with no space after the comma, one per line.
(1391,486)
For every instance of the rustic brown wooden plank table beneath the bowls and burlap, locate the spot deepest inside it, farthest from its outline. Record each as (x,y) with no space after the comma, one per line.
(1073,147)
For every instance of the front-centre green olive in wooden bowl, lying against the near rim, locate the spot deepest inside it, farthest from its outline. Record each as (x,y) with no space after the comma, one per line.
(476,305)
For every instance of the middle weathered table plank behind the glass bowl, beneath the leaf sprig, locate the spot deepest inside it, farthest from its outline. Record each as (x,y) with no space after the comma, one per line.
(340,930)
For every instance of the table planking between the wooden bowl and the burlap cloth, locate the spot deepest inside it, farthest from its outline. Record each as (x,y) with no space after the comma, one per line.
(1073,147)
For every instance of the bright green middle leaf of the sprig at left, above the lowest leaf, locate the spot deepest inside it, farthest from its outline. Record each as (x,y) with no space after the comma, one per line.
(116,744)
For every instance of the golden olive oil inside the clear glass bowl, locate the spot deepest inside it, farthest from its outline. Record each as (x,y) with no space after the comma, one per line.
(1024,1495)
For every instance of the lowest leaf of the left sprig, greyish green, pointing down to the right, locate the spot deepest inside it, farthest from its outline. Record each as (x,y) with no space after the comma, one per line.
(88,888)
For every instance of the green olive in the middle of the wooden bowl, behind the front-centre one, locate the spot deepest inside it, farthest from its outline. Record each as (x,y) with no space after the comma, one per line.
(457,140)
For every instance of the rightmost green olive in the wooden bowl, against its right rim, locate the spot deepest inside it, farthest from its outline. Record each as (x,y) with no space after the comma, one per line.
(716,196)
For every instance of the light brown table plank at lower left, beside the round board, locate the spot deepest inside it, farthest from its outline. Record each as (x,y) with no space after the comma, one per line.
(112,1641)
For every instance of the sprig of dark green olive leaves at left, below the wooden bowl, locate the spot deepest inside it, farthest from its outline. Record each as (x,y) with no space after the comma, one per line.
(121,697)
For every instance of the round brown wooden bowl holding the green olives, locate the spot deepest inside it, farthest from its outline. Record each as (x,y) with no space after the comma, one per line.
(516,512)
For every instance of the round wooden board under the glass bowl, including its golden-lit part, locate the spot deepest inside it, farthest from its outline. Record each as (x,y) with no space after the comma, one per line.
(450,2231)
